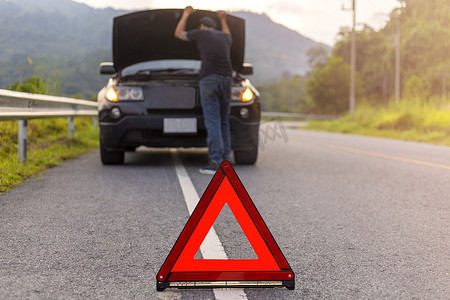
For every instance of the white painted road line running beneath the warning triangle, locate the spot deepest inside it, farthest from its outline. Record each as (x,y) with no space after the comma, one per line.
(211,246)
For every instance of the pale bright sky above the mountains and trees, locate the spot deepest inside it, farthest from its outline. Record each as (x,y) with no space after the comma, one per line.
(316,19)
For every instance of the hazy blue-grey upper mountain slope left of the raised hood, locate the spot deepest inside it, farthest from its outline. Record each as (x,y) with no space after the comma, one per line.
(60,27)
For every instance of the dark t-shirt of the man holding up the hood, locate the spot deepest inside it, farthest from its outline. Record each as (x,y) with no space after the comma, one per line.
(214,47)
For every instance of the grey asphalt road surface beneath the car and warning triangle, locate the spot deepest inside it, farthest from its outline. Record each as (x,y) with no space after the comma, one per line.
(356,218)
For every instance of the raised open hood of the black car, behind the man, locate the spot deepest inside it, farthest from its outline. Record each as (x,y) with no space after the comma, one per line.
(149,35)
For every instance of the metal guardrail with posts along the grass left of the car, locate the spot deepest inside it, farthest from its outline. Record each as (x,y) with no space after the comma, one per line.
(24,106)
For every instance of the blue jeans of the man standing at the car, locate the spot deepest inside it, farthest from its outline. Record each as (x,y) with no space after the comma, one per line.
(215,97)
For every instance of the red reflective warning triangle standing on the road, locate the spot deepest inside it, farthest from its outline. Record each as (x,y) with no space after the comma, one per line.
(182,270)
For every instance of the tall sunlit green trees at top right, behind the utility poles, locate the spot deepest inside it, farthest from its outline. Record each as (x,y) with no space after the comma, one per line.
(424,48)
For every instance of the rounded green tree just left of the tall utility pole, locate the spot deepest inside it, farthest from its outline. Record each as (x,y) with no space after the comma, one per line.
(329,87)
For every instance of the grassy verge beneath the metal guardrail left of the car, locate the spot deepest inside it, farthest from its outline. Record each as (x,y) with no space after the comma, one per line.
(48,146)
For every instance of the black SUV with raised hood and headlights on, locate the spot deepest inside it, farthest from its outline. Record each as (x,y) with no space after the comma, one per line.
(153,98)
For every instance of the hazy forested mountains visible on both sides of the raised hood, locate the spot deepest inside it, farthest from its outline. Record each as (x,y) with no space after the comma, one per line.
(67,39)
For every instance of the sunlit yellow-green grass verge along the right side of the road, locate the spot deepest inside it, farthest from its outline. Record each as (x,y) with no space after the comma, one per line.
(411,120)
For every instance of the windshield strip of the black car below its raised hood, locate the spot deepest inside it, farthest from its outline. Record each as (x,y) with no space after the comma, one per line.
(168,65)
